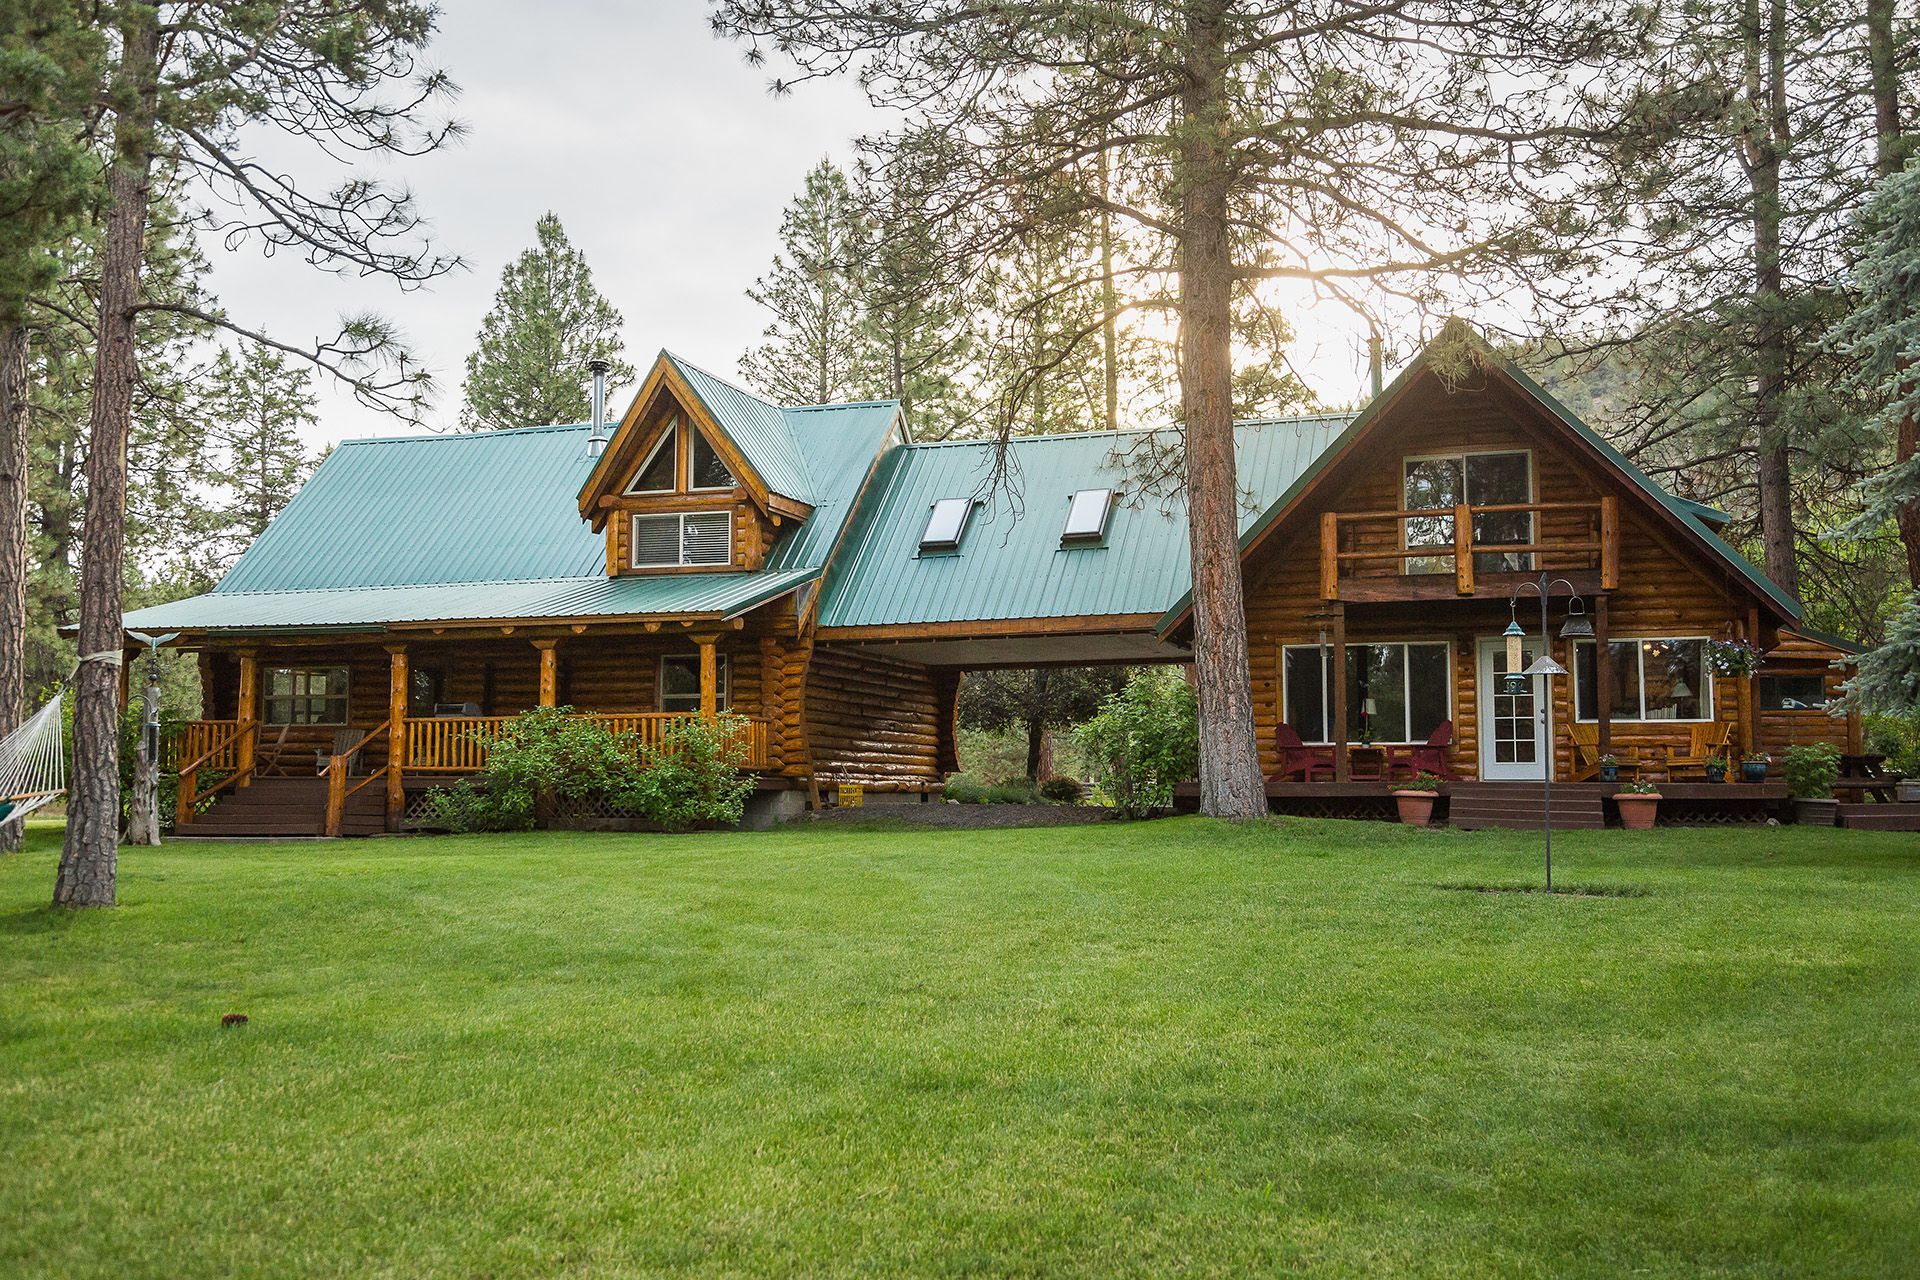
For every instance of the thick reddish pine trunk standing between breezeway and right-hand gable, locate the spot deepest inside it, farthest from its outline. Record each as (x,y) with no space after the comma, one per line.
(1230,757)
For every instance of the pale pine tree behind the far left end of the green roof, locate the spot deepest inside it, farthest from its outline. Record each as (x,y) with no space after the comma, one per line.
(254,410)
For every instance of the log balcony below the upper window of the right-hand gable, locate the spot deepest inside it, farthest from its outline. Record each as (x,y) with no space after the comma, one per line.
(1366,556)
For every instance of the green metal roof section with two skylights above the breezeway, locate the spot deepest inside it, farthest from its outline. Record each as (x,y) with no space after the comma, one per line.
(1011,563)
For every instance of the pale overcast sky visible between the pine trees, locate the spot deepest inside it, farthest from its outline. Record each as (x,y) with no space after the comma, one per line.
(661,153)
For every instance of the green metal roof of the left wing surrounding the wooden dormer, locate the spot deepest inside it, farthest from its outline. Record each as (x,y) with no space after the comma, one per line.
(429,529)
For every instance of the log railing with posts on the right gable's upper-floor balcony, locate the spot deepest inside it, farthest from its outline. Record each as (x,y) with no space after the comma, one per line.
(1356,540)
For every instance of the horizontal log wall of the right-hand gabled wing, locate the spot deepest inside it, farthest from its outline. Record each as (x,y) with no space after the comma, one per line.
(1664,590)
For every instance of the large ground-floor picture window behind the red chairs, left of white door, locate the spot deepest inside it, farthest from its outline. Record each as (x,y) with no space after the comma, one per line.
(1395,694)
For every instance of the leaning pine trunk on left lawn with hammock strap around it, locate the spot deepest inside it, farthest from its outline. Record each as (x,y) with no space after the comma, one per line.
(89,863)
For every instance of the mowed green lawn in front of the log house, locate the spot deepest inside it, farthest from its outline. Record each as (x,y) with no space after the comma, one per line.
(1166,1049)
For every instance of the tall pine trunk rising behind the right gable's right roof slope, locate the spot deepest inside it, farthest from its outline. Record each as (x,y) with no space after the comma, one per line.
(1765,147)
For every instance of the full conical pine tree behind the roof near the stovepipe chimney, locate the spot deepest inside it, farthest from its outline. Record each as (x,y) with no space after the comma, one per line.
(548,323)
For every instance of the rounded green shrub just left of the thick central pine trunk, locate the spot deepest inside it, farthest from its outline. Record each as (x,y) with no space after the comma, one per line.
(1145,740)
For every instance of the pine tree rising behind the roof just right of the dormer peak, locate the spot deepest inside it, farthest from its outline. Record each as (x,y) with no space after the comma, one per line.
(817,346)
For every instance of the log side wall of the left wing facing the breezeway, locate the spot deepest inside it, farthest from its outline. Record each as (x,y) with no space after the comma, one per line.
(875,723)
